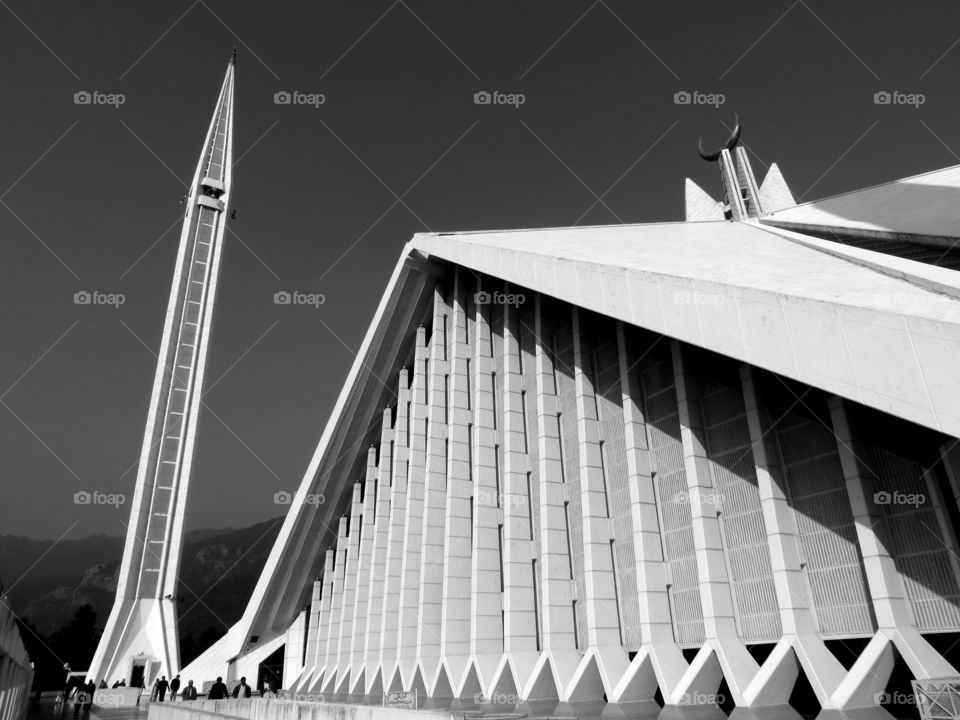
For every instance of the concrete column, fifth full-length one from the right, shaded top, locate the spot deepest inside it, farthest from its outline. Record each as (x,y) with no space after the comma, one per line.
(602,613)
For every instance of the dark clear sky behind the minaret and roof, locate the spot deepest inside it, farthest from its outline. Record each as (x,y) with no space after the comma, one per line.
(90,193)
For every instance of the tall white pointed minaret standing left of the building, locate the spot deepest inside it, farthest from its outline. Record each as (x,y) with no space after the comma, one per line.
(140,639)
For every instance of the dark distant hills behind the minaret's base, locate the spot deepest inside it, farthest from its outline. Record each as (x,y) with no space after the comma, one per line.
(221,567)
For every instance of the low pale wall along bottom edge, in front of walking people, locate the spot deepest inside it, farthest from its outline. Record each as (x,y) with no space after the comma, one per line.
(277,709)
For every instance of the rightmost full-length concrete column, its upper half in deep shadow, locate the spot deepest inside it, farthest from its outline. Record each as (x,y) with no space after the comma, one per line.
(886,587)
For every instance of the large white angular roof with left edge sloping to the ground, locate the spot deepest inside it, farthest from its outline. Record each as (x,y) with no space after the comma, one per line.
(749,292)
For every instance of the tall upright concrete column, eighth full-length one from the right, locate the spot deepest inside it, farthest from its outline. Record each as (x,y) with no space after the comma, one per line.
(486,631)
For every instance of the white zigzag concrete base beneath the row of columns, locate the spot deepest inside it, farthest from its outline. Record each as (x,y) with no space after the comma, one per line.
(658,681)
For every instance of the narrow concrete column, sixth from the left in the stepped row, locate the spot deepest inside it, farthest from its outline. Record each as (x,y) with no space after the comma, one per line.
(378,568)
